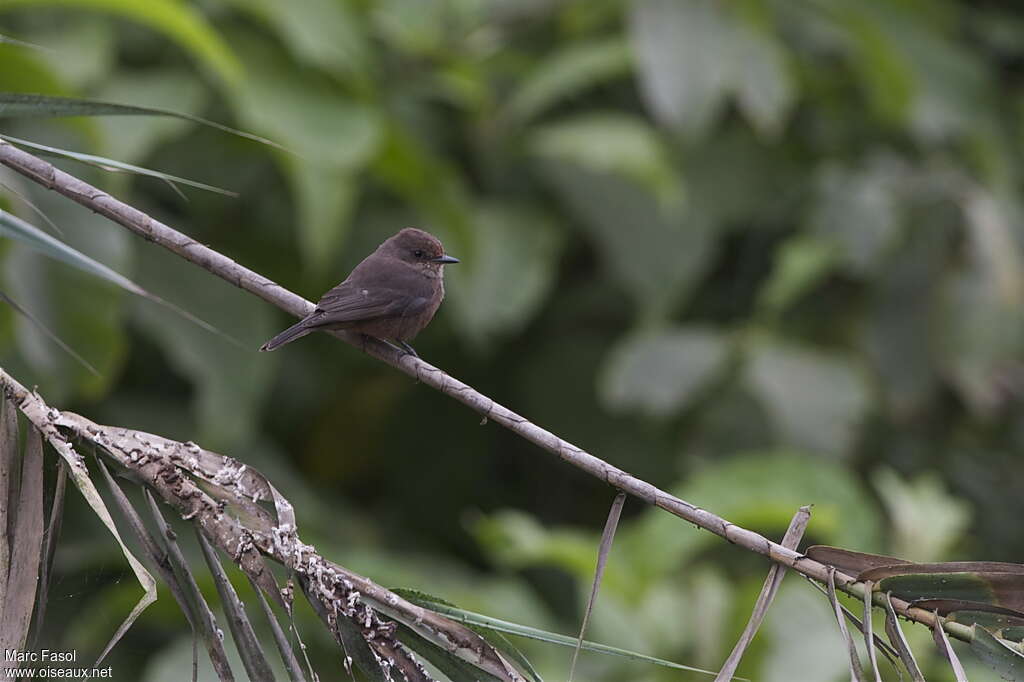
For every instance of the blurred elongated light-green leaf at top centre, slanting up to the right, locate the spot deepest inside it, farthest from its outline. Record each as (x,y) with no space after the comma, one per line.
(568,73)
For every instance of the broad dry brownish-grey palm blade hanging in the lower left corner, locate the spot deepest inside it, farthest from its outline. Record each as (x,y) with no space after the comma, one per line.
(26,551)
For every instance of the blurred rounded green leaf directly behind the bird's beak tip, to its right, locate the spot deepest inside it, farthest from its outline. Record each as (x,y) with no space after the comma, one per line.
(510,243)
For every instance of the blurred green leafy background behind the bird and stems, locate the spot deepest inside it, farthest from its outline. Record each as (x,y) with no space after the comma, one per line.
(762,253)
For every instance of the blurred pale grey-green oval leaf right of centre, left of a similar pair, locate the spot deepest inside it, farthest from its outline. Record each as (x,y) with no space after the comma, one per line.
(661,372)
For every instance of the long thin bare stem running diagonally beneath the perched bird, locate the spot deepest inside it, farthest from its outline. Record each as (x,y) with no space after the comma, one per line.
(154,231)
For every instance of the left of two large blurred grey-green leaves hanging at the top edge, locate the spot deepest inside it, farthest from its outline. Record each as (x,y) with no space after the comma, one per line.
(684,53)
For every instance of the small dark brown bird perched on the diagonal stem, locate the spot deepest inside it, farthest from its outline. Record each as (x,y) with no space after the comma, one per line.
(392,295)
